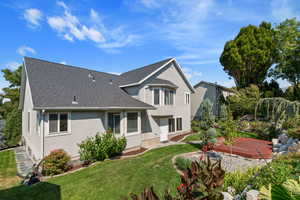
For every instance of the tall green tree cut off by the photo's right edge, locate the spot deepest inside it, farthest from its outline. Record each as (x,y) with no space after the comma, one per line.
(288,59)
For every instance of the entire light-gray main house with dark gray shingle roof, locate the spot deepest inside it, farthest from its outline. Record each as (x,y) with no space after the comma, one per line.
(63,105)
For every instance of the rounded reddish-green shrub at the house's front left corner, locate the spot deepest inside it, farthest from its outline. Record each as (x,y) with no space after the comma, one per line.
(56,163)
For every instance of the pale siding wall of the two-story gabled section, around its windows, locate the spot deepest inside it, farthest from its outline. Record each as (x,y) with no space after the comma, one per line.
(150,123)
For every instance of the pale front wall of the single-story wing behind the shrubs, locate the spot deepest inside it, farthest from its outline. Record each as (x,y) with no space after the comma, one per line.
(84,125)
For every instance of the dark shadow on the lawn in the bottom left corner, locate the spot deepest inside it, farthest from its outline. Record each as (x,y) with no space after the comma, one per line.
(39,191)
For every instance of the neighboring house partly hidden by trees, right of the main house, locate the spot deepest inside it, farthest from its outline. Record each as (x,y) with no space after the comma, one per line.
(213,92)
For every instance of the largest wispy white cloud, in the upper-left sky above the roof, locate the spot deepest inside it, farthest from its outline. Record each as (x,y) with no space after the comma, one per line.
(70,28)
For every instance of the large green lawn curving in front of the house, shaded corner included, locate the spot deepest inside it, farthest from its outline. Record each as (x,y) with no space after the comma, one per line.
(110,179)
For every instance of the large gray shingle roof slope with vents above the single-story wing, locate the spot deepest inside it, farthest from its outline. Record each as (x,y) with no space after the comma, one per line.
(54,85)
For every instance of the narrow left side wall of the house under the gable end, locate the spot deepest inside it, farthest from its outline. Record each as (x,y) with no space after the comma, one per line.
(33,137)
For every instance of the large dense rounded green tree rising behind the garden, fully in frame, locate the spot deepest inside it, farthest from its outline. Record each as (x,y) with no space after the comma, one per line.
(250,55)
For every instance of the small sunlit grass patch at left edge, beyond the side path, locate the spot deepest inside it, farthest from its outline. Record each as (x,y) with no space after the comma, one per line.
(8,169)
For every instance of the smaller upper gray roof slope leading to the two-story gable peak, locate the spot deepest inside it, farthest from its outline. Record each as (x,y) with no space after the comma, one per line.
(137,75)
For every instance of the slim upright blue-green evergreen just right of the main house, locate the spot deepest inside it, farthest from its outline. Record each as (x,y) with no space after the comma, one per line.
(206,114)
